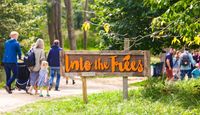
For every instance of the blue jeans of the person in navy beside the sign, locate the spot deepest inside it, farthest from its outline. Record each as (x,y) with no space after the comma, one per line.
(52,73)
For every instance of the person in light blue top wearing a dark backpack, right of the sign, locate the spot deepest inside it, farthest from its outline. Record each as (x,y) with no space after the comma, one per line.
(185,64)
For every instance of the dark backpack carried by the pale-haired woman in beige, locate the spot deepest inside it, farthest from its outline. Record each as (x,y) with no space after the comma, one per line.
(29,59)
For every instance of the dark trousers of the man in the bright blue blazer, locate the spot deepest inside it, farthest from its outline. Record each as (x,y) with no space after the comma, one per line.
(10,67)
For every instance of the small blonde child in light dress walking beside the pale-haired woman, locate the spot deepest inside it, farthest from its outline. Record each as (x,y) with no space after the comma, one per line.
(43,80)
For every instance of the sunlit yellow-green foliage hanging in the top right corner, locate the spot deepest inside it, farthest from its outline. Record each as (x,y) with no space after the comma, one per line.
(180,23)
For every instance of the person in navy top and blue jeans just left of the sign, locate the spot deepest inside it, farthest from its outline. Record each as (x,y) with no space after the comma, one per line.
(54,63)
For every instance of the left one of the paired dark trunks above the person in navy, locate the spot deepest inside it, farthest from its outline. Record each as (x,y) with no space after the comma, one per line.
(50,21)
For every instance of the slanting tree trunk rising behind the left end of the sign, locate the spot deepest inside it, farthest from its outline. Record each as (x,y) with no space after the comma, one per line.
(70,26)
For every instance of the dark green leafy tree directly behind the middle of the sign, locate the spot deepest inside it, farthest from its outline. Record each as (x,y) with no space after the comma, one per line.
(127,19)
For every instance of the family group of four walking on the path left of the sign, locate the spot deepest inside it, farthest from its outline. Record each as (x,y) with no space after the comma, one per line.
(38,78)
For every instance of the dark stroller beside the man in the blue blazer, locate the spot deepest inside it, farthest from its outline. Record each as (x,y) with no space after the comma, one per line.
(23,77)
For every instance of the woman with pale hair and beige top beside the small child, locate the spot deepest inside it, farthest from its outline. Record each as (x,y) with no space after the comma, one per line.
(38,50)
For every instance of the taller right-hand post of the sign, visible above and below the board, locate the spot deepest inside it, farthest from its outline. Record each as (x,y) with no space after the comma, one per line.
(125,78)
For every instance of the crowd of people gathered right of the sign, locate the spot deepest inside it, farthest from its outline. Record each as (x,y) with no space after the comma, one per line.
(179,64)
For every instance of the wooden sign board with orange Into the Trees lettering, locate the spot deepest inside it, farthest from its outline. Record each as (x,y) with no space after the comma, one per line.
(93,63)
